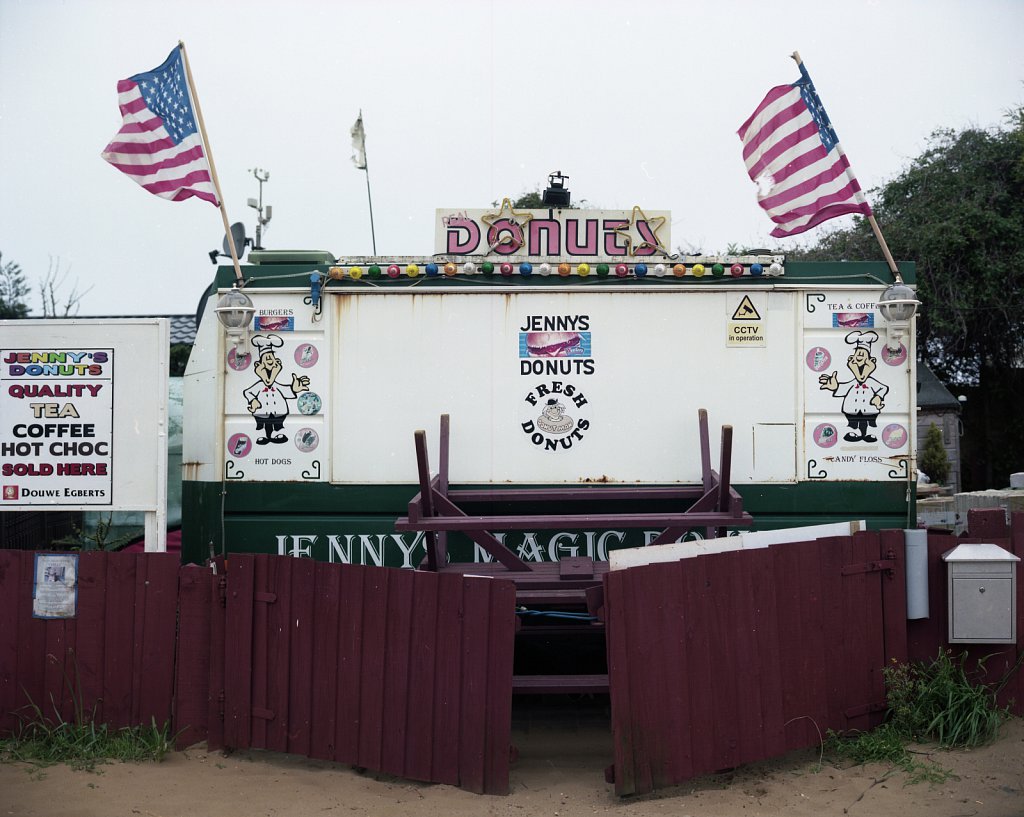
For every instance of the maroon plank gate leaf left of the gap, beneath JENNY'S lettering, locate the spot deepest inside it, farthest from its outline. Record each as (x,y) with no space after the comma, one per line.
(400,672)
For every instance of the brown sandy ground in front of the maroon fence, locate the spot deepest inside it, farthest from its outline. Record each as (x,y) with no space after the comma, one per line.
(560,773)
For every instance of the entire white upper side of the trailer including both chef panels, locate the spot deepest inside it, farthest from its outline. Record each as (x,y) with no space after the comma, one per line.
(567,386)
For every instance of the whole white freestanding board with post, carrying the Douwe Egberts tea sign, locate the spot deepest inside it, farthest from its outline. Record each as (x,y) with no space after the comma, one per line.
(83,416)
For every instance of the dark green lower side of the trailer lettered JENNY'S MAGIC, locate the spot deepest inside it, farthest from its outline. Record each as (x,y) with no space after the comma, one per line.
(308,522)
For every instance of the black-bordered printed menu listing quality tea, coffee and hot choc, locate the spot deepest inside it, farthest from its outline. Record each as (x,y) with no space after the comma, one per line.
(57,426)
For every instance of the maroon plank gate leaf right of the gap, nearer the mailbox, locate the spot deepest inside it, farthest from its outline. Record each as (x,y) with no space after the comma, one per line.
(729,659)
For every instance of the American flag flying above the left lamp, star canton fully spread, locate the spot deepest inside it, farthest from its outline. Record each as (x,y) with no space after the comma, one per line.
(159,145)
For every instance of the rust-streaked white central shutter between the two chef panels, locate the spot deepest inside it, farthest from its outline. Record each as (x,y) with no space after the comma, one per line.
(562,388)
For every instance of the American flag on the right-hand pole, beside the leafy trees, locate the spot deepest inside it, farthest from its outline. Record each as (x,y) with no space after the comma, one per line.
(794,157)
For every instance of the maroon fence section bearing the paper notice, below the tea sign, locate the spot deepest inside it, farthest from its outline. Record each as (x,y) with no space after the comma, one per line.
(114,662)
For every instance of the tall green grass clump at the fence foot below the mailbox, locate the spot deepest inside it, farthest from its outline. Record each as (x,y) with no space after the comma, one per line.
(935,702)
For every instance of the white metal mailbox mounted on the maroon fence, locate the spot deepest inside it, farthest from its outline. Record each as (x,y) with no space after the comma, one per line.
(983,594)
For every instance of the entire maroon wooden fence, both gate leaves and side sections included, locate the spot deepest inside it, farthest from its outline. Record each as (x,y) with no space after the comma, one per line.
(714,662)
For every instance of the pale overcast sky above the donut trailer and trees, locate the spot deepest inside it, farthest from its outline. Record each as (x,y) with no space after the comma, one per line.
(464,103)
